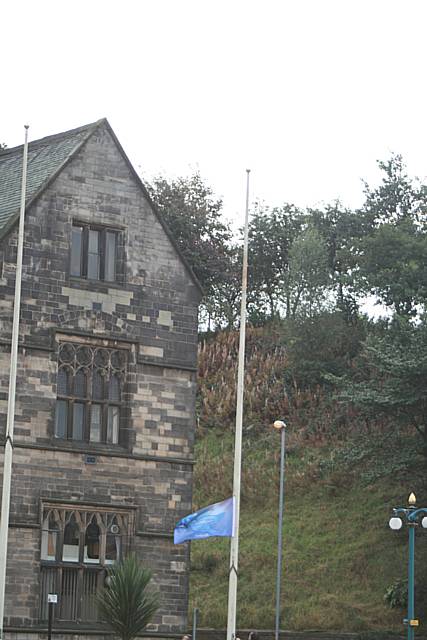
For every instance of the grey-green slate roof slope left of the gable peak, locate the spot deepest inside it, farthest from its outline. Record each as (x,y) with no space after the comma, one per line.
(46,157)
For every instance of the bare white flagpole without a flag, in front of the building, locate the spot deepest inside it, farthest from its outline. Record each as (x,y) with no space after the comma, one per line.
(8,446)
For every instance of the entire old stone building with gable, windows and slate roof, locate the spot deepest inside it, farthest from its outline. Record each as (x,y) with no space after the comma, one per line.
(106,383)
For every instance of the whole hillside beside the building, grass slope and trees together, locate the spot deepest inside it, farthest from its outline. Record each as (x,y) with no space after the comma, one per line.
(353,392)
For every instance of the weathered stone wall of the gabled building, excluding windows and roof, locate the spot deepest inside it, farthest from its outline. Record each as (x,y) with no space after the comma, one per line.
(153,310)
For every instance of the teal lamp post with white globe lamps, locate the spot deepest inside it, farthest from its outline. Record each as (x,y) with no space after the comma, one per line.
(412,516)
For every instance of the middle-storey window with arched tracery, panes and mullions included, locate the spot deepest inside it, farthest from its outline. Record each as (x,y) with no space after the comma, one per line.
(89,392)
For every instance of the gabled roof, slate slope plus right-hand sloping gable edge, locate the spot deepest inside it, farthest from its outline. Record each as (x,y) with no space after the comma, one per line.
(46,158)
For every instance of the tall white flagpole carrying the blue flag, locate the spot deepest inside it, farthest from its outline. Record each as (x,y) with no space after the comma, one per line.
(234,548)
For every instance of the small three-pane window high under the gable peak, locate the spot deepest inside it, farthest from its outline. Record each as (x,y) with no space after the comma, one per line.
(93,253)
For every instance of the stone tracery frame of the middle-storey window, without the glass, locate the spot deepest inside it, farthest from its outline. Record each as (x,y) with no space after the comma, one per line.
(86,366)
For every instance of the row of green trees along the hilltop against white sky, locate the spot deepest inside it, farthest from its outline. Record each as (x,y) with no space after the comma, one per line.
(303,262)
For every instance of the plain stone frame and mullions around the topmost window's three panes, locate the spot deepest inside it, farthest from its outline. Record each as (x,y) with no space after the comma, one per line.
(103,230)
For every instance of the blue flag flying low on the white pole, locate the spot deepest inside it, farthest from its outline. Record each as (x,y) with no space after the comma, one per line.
(215,520)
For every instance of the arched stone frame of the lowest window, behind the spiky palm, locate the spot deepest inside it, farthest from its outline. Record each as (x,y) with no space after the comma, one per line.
(76,581)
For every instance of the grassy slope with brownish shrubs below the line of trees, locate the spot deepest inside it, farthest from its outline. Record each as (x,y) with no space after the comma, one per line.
(344,473)
